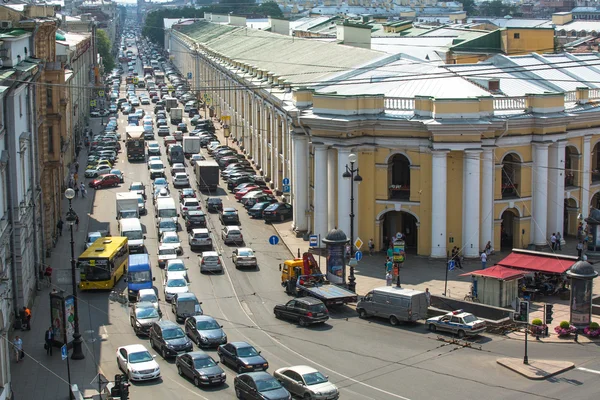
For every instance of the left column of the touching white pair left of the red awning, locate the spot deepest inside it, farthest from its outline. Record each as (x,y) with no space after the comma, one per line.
(471,192)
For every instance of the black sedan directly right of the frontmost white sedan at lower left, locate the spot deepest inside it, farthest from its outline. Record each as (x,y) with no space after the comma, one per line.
(200,368)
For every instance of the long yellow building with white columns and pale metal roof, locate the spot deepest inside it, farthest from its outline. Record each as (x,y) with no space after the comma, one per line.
(502,151)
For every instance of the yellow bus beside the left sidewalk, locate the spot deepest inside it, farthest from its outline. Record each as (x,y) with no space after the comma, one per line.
(103,263)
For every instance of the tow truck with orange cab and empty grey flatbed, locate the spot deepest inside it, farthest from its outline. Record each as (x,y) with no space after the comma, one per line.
(302,277)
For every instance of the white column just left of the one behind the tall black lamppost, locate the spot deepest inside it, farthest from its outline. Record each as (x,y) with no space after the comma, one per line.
(320,190)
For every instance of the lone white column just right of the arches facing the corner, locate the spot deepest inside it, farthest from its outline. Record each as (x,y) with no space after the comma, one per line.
(438,203)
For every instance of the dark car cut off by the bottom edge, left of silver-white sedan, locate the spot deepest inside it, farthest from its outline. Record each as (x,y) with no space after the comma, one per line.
(259,386)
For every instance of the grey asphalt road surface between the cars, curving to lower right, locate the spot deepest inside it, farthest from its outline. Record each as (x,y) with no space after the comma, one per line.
(367,359)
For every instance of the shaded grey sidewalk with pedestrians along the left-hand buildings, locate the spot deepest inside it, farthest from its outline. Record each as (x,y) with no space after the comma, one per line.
(41,376)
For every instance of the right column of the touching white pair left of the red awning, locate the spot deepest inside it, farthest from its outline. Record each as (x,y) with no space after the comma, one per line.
(486,233)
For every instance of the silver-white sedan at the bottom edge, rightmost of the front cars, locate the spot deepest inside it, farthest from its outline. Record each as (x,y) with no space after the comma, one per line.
(307,383)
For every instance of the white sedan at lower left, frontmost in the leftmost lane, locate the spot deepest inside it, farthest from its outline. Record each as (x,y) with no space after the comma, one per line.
(137,362)
